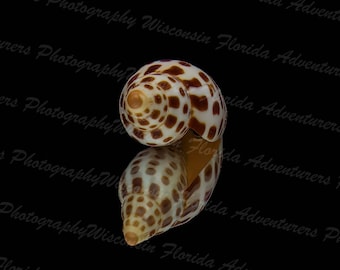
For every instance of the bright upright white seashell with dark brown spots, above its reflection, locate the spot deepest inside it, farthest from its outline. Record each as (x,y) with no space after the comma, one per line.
(166,98)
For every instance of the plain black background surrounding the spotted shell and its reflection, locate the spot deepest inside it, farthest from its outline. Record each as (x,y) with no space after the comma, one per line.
(251,134)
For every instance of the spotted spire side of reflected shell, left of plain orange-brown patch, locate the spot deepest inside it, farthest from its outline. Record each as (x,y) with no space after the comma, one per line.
(151,191)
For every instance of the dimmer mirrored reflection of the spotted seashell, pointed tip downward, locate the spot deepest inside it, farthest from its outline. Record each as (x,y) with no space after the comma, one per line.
(164,187)
